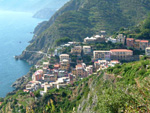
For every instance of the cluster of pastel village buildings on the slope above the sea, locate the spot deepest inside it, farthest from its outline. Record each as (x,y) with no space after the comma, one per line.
(82,60)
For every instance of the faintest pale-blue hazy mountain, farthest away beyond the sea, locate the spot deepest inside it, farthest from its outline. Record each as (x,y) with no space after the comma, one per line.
(30,5)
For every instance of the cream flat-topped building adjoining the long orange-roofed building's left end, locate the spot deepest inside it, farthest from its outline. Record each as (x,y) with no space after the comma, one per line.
(104,55)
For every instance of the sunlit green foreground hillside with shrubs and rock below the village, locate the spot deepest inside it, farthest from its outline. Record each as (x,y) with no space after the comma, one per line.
(123,88)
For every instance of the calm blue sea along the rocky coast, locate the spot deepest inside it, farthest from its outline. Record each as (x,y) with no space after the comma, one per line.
(15,33)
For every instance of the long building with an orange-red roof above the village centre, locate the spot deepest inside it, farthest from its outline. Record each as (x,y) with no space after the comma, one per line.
(121,54)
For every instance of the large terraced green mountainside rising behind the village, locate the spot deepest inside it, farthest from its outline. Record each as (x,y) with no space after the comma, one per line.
(80,18)
